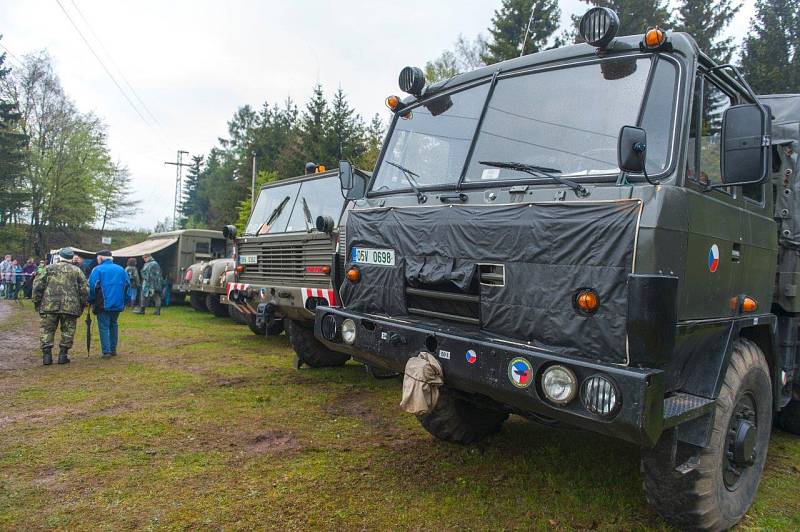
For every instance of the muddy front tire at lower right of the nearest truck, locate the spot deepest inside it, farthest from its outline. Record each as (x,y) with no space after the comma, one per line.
(716,495)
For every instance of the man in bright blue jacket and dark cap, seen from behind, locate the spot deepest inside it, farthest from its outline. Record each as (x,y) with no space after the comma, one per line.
(108,285)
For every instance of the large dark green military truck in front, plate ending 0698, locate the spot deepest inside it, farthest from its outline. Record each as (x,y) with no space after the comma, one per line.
(602,235)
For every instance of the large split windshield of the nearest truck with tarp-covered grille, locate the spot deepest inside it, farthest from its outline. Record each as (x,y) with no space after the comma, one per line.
(566,120)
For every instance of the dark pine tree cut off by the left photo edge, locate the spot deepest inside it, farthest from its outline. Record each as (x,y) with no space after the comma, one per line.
(13,143)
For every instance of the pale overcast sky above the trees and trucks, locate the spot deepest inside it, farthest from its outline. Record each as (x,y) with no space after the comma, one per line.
(194,62)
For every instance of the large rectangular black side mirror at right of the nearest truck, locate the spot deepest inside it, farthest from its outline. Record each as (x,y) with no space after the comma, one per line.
(745,145)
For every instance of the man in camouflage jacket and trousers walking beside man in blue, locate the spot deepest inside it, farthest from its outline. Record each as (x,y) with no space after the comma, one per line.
(59,295)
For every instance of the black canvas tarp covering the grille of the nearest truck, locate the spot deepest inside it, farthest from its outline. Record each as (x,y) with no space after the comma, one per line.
(549,252)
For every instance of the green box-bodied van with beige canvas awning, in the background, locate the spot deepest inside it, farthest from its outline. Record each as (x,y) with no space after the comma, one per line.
(175,252)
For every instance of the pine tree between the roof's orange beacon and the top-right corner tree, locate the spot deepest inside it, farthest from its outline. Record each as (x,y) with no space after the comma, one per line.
(705,20)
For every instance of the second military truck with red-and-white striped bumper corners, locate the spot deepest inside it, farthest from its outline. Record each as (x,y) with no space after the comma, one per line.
(284,264)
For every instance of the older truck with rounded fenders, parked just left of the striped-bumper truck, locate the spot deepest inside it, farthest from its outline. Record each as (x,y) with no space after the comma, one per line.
(207,285)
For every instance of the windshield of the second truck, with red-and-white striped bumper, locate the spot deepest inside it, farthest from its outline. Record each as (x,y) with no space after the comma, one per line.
(295,207)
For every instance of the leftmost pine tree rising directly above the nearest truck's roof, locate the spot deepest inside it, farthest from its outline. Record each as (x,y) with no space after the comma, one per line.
(510,24)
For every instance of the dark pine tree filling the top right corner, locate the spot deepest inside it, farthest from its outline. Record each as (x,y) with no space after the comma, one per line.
(770,51)
